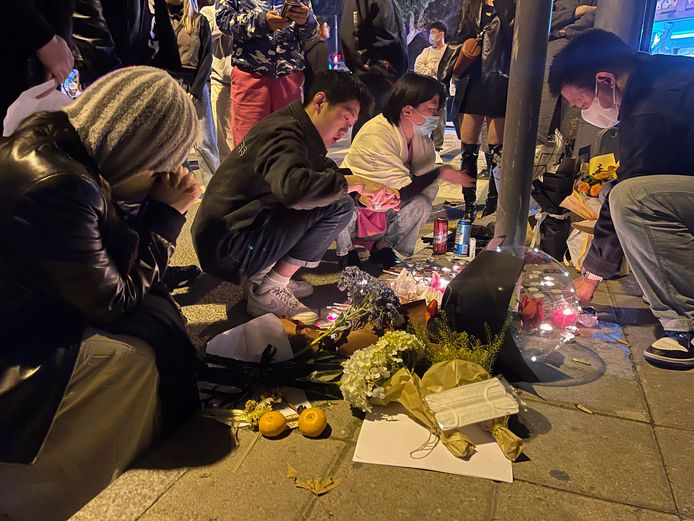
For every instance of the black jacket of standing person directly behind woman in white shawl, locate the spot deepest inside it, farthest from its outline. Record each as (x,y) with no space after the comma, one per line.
(373,38)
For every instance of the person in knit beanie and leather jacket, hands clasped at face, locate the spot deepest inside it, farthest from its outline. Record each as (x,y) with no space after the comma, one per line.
(95,360)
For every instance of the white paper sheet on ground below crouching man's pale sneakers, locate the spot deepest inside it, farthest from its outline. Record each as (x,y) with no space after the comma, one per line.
(248,341)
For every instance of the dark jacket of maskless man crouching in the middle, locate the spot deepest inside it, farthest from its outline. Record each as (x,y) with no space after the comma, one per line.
(280,163)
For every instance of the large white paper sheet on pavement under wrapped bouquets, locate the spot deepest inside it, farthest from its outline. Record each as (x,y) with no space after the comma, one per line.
(388,436)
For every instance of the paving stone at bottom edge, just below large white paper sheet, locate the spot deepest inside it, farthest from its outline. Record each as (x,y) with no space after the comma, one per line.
(378,492)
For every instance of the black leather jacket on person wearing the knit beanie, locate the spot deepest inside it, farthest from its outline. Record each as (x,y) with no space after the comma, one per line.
(67,261)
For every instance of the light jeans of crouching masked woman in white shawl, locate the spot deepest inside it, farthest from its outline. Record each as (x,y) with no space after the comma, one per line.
(403,226)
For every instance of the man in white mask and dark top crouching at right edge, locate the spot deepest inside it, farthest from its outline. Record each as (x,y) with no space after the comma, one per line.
(650,211)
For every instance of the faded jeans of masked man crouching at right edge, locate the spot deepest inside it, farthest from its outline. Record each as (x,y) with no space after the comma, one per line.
(654,220)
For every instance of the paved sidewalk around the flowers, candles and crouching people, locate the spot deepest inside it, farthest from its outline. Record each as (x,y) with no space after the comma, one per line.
(632,459)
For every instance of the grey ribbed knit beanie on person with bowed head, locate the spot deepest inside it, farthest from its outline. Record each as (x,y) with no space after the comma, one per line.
(135,119)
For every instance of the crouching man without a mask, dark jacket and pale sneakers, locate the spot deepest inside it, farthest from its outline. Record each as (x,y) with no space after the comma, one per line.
(277,202)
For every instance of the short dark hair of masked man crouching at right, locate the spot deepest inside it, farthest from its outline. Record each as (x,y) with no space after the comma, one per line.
(583,58)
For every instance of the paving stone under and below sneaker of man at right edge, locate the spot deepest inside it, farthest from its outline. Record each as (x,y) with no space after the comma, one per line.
(667,392)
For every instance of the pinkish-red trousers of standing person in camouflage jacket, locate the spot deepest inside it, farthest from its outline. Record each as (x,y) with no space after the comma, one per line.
(253,97)
